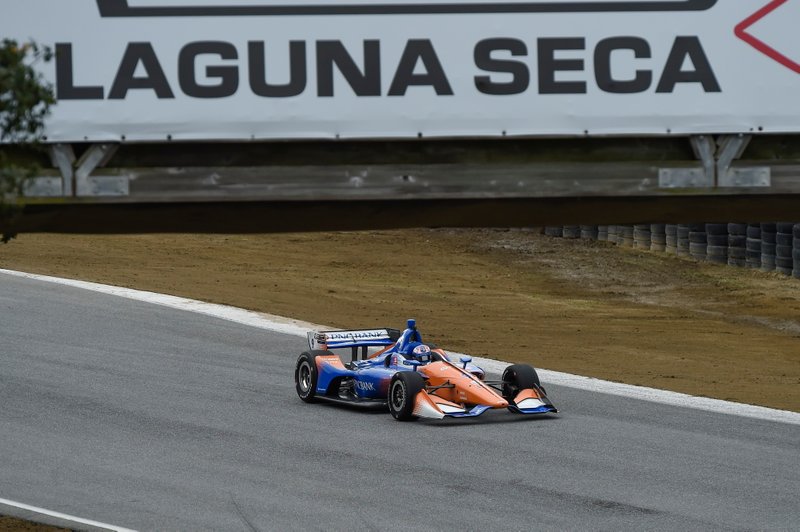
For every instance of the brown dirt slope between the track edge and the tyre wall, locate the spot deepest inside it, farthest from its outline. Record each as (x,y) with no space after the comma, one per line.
(582,307)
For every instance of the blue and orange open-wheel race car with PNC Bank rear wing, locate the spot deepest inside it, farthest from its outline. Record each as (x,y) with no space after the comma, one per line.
(413,379)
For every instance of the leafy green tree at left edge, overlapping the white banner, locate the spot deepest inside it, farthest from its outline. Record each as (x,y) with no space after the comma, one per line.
(25,100)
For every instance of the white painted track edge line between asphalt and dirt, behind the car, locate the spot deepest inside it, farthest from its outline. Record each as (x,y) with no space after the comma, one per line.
(300,328)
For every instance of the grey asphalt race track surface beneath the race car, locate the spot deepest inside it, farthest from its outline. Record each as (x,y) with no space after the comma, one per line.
(158,419)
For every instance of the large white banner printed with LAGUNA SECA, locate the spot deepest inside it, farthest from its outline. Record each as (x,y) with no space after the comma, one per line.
(147,70)
